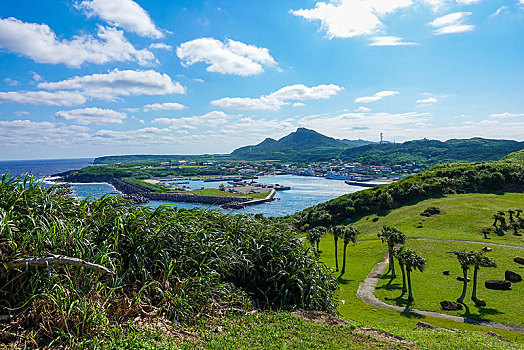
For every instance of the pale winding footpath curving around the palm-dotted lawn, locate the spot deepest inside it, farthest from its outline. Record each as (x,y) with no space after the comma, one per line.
(366,293)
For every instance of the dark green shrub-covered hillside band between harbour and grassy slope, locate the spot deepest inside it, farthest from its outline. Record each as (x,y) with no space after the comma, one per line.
(438,181)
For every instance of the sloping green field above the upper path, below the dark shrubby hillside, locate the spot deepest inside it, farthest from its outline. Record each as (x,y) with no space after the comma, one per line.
(462,217)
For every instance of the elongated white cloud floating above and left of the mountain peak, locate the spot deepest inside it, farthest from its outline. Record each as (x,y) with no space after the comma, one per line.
(279,98)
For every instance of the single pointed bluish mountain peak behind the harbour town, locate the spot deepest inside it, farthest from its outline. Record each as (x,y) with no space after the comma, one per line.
(301,145)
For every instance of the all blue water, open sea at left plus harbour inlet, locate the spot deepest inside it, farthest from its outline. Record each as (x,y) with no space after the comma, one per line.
(305,191)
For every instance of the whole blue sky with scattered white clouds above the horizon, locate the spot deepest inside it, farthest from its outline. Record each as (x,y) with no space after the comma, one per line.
(98,77)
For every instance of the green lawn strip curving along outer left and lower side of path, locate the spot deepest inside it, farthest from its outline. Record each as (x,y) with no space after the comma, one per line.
(360,260)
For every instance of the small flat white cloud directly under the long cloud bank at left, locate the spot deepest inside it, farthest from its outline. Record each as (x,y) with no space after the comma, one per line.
(96,116)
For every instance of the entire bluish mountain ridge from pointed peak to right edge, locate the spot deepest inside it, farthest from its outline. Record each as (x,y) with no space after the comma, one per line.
(306,145)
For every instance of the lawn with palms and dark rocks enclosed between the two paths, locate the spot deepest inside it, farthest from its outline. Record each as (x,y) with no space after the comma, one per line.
(431,286)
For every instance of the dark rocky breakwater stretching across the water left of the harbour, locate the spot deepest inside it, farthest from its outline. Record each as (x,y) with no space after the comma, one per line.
(141,195)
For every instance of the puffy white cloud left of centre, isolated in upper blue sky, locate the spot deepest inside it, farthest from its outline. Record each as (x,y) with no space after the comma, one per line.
(231,57)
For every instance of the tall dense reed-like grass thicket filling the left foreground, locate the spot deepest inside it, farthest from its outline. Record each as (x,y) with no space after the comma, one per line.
(179,264)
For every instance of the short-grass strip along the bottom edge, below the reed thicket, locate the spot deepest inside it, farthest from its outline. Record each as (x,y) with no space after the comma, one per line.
(281,330)
